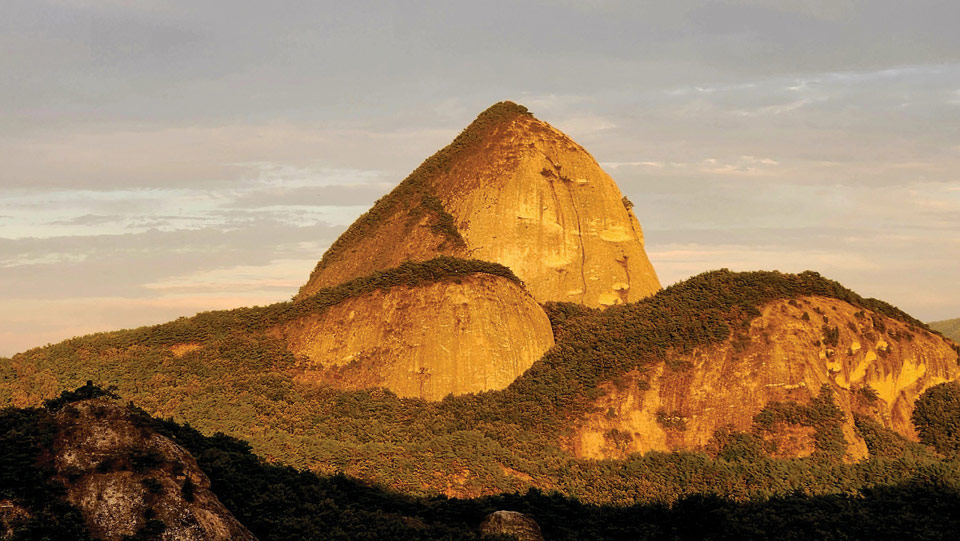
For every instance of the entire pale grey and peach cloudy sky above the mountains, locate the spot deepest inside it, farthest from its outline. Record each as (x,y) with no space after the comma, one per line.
(161,158)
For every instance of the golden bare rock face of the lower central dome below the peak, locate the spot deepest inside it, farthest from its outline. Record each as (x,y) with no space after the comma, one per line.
(472,334)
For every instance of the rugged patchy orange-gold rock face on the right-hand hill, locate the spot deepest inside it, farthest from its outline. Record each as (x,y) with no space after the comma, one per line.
(786,355)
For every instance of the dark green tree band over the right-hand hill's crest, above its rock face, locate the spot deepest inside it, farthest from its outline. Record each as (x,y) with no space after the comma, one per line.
(602,345)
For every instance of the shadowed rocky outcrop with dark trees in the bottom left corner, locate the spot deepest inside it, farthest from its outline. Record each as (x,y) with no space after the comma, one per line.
(93,468)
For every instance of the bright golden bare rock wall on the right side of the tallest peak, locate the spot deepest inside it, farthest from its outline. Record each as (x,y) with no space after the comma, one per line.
(542,206)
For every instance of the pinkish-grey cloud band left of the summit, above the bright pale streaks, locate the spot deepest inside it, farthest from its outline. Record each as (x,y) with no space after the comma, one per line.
(213,156)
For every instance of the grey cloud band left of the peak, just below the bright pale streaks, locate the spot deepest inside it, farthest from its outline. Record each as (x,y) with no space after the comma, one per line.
(121,264)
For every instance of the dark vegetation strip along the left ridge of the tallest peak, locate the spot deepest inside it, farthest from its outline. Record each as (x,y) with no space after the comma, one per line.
(415,191)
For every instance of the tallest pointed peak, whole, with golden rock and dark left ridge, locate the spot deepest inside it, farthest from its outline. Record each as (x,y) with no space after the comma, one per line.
(512,190)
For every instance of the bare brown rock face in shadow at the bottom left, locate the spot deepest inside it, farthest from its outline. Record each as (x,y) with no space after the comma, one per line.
(126,478)
